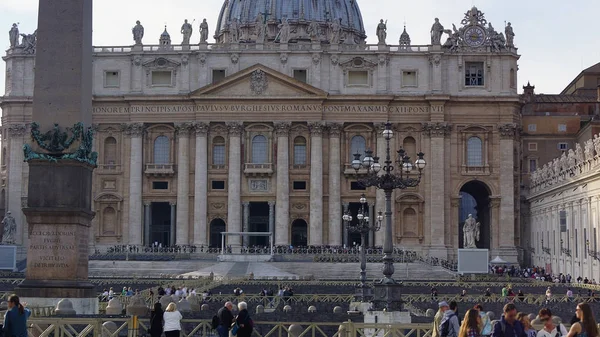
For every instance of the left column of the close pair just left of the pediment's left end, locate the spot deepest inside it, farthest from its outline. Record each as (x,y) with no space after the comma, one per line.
(183,183)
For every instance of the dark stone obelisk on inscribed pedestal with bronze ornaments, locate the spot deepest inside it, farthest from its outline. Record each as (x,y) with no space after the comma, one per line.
(60,159)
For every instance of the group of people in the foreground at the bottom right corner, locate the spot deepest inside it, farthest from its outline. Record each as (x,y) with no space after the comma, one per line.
(476,323)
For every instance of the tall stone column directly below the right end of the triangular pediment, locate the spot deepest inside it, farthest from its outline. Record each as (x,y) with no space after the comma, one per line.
(316,184)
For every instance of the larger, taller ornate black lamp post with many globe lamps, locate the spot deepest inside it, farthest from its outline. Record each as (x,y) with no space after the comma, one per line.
(387,290)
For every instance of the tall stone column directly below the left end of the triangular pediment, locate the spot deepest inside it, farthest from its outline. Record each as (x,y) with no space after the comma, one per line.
(200,185)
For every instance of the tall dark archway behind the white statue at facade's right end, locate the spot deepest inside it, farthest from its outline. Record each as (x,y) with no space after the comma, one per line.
(475,200)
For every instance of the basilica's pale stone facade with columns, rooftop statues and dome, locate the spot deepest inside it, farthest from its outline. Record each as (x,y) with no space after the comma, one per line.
(256,131)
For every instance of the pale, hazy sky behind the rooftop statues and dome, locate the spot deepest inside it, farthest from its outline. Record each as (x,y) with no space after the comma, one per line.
(556,39)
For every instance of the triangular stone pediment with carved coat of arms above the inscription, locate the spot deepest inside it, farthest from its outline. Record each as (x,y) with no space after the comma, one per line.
(258,81)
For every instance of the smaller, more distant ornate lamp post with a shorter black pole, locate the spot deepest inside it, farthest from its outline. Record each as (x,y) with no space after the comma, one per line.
(363,226)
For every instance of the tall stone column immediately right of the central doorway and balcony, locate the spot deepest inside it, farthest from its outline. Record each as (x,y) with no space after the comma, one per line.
(282,214)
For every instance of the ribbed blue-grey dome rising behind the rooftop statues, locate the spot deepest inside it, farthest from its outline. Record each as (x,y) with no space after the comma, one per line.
(248,18)
